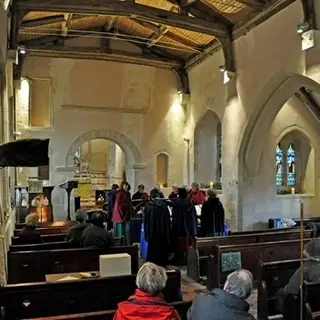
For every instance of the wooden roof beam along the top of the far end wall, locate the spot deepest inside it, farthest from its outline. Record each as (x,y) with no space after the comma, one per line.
(111,55)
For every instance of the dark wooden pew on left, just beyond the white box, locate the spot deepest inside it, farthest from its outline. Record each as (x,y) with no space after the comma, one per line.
(32,266)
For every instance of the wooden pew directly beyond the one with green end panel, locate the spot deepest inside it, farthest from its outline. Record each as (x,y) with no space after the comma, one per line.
(203,247)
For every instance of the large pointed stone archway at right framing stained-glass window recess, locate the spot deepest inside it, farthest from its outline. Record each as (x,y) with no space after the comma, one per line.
(277,109)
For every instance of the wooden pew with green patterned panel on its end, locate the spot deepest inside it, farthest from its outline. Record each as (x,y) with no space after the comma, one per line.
(251,255)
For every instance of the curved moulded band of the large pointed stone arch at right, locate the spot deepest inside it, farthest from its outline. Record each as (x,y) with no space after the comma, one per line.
(265,108)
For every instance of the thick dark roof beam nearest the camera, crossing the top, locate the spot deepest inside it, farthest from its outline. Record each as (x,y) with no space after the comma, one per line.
(126,9)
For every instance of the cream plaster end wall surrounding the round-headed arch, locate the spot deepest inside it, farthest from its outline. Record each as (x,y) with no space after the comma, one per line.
(136,103)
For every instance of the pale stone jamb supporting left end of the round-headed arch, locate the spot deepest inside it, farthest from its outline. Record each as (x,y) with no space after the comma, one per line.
(59,195)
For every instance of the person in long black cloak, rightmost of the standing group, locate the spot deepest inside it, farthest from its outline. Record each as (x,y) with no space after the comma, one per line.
(212,216)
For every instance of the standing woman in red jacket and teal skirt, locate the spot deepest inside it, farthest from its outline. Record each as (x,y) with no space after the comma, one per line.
(122,213)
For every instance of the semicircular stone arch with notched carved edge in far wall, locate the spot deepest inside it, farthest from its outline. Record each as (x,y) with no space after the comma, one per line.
(130,149)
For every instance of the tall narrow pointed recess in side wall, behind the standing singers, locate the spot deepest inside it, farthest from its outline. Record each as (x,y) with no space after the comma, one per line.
(207,149)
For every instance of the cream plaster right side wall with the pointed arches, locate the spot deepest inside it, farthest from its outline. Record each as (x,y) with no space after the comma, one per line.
(266,59)
